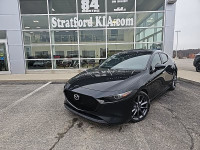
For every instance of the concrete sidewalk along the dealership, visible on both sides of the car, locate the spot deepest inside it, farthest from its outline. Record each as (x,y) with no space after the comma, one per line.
(182,74)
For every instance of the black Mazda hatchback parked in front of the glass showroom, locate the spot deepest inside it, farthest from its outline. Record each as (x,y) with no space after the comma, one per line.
(122,87)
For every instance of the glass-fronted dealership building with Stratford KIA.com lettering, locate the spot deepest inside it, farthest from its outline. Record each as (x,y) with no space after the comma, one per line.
(71,35)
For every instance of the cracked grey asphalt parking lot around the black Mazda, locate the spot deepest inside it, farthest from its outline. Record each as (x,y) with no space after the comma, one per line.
(32,117)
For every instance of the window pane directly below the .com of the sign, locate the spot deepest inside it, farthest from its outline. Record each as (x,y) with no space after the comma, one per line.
(120,35)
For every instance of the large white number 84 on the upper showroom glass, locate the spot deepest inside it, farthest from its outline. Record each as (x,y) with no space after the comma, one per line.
(90,5)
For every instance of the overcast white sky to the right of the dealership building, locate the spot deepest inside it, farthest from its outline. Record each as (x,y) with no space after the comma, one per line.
(188,22)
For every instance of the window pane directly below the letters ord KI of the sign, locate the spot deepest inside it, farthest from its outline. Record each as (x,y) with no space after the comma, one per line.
(92,36)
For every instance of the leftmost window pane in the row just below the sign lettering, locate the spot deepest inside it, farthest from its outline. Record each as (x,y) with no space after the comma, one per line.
(36,37)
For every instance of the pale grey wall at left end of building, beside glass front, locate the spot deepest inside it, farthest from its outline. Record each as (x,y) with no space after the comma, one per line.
(10,21)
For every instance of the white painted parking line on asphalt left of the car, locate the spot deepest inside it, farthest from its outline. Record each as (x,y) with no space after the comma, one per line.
(23,98)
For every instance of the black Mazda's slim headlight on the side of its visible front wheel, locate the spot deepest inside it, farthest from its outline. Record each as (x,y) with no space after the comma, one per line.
(114,98)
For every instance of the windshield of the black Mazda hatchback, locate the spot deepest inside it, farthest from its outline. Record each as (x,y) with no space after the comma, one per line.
(127,61)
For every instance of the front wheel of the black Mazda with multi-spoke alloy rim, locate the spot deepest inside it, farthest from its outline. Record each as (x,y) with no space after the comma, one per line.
(141,106)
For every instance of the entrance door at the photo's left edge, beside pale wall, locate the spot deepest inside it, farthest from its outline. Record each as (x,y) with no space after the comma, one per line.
(4,65)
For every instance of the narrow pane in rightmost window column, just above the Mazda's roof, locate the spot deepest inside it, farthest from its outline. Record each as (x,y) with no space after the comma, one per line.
(150,46)
